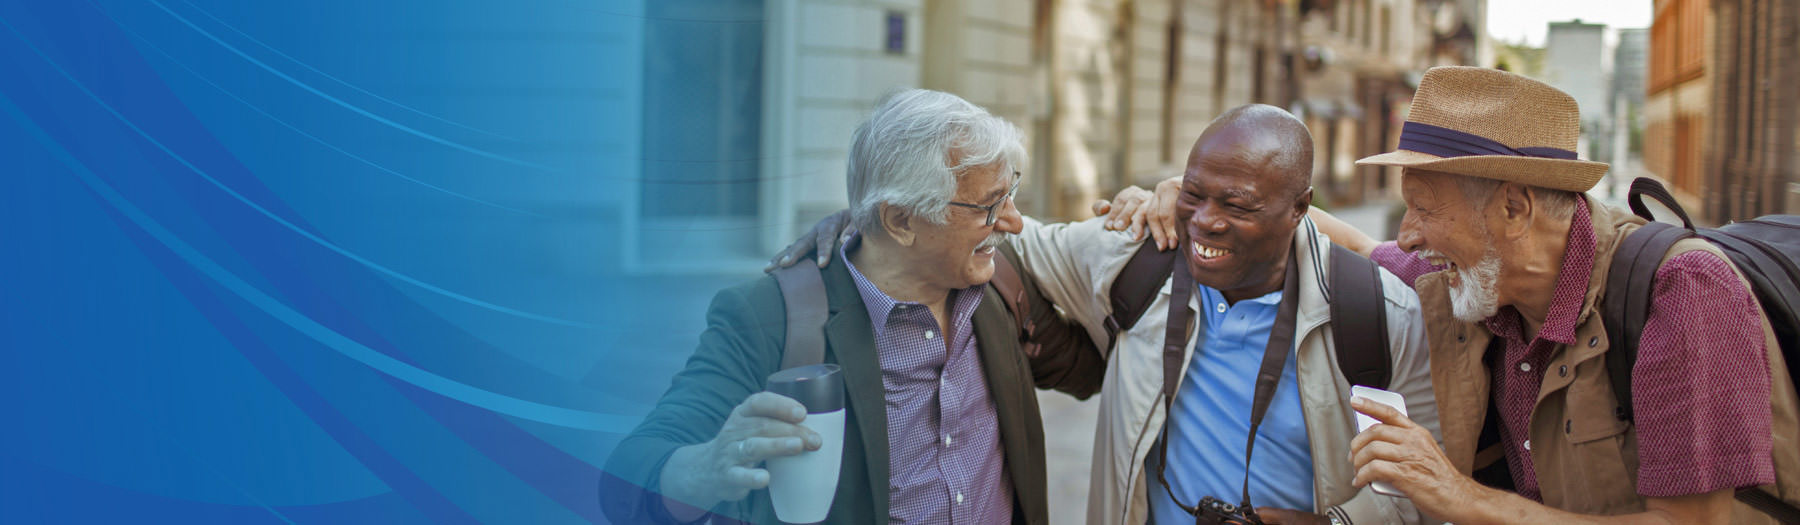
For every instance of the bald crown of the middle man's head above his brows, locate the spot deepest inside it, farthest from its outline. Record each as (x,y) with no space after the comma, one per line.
(1259,139)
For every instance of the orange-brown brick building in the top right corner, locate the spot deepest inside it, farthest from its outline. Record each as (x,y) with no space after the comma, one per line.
(1722,112)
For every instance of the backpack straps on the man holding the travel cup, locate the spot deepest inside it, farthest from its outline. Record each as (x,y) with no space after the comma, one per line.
(1059,351)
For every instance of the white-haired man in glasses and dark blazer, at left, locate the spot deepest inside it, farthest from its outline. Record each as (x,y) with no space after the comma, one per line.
(942,427)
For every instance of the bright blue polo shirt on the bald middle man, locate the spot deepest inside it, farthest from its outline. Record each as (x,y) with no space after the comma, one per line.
(1210,422)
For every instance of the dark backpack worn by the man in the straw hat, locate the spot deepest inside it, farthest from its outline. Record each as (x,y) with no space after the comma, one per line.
(1765,249)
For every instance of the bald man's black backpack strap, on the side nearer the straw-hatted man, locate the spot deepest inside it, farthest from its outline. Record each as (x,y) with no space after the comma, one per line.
(1360,321)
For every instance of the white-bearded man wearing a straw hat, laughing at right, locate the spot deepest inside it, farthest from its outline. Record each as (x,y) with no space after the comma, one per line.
(1509,258)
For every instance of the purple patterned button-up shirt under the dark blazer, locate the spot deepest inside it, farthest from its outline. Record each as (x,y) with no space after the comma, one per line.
(944,441)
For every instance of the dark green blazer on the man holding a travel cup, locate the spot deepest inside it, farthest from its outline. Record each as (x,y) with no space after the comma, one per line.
(742,346)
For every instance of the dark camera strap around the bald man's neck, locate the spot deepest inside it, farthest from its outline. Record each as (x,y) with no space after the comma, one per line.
(1273,359)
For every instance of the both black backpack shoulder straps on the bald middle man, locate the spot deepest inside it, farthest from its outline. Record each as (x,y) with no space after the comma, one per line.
(1360,319)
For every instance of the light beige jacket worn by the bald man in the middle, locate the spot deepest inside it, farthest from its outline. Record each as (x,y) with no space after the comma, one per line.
(1075,265)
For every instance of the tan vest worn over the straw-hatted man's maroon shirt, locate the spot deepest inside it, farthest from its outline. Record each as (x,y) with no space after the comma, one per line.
(1583,450)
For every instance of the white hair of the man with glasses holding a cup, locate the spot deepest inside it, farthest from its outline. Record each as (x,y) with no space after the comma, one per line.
(903,154)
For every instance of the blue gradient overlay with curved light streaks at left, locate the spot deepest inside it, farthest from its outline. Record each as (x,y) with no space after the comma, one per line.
(327,262)
